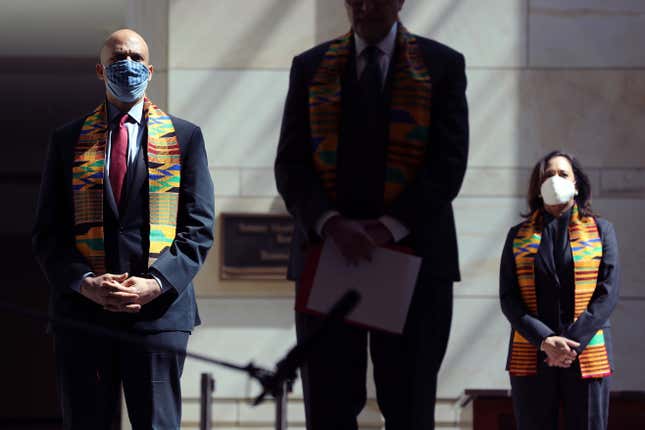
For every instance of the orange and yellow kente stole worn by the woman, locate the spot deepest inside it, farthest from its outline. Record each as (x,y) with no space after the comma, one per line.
(586,248)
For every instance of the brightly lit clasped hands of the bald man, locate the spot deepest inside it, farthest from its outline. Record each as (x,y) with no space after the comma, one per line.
(120,293)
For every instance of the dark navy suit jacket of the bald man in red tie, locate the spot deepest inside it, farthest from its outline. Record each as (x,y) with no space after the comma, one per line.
(126,231)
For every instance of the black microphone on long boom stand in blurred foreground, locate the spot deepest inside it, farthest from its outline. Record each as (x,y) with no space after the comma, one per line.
(277,383)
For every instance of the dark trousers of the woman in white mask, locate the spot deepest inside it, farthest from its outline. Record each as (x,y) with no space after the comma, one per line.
(537,400)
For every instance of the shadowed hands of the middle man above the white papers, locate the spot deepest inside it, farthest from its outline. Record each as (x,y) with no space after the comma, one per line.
(356,240)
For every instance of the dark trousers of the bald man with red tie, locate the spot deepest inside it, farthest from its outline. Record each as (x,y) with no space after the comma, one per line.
(92,369)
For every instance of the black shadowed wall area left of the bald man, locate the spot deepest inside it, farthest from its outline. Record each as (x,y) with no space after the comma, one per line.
(39,94)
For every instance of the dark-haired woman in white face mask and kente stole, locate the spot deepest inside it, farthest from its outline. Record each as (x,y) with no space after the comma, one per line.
(559,281)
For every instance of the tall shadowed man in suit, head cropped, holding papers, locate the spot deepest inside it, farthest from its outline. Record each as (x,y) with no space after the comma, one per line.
(372,152)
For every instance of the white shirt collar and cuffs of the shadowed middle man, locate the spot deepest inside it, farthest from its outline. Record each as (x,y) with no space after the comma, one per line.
(385,52)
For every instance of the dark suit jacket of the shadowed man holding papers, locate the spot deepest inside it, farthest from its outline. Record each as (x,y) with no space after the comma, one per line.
(425,206)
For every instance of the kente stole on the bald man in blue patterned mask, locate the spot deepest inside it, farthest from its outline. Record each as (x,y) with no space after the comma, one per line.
(164,176)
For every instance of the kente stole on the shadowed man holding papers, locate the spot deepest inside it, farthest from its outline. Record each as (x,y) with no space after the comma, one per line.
(409,113)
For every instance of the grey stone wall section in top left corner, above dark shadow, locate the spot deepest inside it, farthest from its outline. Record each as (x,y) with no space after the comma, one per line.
(72,28)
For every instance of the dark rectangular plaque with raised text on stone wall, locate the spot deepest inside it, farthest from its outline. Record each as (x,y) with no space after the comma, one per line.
(254,246)
